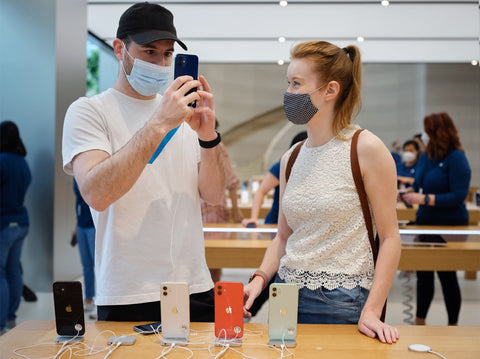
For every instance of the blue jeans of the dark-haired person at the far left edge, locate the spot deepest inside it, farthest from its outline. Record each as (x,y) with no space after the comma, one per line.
(11,283)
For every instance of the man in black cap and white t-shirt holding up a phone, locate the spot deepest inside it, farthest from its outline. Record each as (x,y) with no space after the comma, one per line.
(137,161)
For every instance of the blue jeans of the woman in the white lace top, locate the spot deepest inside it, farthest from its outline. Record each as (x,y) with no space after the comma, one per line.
(323,306)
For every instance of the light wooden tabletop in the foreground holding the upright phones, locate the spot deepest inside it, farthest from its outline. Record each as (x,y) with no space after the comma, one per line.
(313,341)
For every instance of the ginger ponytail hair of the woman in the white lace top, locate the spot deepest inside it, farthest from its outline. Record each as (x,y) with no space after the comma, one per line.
(332,63)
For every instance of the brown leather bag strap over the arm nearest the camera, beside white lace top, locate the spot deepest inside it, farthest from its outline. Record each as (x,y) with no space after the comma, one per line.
(357,177)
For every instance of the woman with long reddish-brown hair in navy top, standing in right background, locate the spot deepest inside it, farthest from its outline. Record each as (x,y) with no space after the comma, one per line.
(440,188)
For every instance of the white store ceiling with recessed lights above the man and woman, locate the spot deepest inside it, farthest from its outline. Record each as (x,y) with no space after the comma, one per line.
(248,31)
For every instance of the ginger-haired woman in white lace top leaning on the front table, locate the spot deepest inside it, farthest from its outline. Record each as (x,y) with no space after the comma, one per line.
(322,242)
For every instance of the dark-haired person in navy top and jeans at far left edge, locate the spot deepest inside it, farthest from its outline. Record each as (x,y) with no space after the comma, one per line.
(15,178)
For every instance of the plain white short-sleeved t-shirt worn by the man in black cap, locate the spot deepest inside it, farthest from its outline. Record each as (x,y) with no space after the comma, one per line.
(153,234)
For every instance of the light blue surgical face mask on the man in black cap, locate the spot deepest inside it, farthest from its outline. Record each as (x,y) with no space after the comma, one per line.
(146,78)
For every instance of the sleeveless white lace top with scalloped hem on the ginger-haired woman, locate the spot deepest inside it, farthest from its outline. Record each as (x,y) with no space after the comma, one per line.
(329,245)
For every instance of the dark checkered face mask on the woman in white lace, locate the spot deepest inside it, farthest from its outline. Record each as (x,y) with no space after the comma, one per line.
(299,108)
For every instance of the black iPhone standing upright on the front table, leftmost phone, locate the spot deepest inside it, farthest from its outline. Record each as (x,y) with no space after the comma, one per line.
(68,301)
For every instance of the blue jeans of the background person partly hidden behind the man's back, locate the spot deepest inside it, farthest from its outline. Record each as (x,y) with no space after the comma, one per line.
(86,245)
